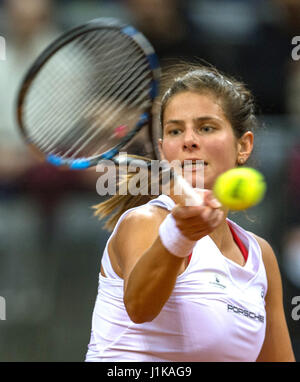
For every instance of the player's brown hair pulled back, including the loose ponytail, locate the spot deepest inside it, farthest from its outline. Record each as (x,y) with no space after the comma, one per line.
(235,99)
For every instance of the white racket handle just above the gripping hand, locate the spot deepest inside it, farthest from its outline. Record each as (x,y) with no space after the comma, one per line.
(187,195)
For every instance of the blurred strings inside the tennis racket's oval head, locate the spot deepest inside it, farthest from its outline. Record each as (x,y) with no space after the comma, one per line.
(103,86)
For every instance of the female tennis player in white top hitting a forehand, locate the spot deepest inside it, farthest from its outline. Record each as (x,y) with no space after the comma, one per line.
(185,283)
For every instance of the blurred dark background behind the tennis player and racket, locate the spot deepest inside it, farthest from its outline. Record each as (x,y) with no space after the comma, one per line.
(50,243)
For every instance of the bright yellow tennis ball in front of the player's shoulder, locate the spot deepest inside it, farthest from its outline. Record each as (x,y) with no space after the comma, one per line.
(240,188)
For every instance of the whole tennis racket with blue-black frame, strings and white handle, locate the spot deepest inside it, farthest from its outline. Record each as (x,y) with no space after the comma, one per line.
(89,94)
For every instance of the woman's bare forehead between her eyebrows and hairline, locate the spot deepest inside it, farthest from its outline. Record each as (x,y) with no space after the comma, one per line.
(190,105)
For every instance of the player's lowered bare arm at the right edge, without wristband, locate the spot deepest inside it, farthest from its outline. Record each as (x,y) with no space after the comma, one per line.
(277,346)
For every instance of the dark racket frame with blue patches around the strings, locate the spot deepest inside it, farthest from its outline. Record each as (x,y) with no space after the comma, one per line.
(60,42)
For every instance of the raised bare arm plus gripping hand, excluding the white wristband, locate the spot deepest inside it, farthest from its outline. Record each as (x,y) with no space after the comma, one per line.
(149,270)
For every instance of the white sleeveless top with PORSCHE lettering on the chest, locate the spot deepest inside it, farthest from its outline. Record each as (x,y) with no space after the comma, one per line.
(216,311)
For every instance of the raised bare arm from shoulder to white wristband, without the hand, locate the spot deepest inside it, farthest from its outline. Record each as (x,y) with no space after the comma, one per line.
(148,269)
